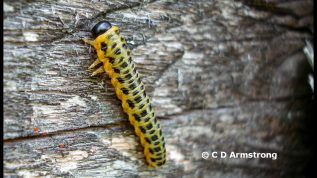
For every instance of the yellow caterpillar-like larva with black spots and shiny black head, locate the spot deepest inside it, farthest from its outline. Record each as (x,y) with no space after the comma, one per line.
(115,57)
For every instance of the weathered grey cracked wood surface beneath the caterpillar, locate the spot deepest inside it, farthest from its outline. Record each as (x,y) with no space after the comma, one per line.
(224,76)
